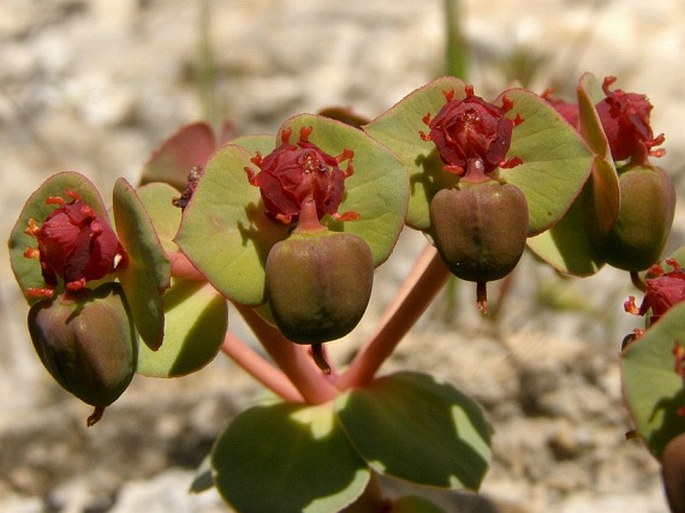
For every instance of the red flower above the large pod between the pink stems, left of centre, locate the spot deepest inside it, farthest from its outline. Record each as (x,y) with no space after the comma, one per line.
(294,174)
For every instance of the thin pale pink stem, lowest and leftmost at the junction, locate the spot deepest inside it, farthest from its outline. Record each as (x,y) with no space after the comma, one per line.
(259,368)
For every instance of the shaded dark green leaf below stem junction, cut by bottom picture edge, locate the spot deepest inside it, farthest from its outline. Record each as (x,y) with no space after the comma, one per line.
(288,458)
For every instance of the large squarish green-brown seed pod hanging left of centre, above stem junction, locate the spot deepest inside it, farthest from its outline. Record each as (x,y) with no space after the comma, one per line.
(318,284)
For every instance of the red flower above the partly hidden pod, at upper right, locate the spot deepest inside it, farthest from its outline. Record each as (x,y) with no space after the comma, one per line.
(625,119)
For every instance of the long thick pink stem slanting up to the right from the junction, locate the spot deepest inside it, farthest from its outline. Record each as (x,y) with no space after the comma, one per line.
(424,281)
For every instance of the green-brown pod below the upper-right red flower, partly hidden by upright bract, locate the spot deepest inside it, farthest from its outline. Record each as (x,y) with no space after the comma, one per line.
(644,220)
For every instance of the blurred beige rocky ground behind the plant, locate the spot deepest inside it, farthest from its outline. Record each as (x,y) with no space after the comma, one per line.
(94,85)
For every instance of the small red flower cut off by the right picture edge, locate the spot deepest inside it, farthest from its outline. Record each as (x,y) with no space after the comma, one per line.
(664,289)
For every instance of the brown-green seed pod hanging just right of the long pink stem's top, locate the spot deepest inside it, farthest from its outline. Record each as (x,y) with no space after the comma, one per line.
(481,230)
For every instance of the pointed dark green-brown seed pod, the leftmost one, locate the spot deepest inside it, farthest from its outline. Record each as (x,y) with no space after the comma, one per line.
(87,342)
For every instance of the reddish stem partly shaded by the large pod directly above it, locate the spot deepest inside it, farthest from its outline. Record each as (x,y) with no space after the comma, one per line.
(293,359)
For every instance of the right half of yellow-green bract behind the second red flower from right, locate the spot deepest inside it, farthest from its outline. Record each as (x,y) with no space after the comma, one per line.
(556,161)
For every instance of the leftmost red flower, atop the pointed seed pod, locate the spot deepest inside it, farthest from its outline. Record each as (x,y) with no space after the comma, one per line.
(74,243)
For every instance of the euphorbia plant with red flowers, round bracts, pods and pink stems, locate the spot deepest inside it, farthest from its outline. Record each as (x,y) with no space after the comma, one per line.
(289,229)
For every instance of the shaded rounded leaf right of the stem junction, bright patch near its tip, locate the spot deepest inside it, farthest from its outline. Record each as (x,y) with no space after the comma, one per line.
(409,426)
